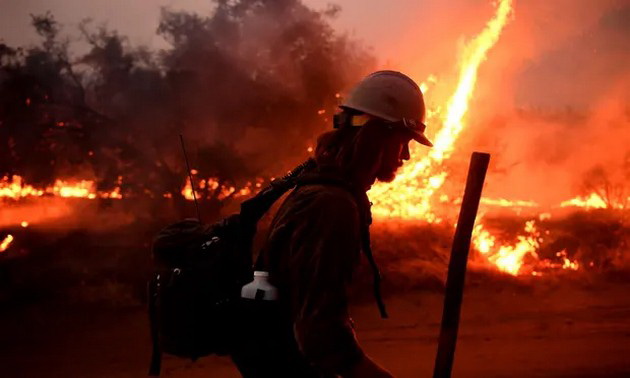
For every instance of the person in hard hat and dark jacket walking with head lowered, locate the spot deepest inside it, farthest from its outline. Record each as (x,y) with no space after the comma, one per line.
(315,239)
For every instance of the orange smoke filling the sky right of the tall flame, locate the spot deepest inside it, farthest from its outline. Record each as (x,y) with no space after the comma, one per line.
(565,108)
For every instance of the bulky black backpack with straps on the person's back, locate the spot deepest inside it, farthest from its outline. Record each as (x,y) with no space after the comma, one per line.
(194,294)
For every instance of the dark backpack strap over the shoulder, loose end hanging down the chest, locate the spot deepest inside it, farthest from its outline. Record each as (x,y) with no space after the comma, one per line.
(364,205)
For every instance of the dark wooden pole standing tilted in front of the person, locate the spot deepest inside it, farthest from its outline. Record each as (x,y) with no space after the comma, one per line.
(457,265)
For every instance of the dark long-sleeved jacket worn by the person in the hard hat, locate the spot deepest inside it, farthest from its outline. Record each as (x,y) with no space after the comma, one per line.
(312,250)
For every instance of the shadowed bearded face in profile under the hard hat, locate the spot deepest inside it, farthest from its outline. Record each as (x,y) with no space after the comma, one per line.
(395,152)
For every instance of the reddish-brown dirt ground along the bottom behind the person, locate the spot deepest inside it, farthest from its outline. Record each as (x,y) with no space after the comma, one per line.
(541,330)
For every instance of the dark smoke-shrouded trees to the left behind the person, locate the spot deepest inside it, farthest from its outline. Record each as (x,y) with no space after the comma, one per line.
(249,93)
